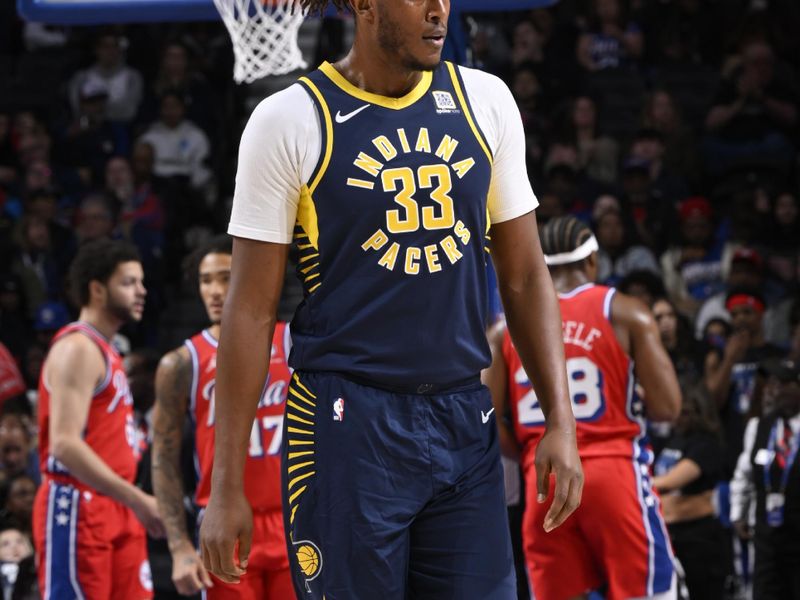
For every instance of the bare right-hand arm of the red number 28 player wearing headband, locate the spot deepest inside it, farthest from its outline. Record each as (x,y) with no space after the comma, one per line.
(638,333)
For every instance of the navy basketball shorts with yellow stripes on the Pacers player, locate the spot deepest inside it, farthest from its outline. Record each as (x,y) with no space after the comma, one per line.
(392,496)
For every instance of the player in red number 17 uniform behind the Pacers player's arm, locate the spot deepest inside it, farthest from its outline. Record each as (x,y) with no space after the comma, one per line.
(185,383)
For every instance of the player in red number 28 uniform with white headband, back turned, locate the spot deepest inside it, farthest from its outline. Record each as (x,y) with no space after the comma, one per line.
(617,538)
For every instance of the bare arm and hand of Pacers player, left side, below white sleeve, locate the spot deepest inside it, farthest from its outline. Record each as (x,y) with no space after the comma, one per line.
(248,322)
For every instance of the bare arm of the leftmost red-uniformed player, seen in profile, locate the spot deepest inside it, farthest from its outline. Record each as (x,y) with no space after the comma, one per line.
(73,369)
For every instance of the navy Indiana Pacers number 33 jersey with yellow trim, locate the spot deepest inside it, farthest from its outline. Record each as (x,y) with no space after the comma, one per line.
(391,229)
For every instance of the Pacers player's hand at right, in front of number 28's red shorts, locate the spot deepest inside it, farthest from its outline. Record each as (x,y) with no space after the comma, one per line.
(557,454)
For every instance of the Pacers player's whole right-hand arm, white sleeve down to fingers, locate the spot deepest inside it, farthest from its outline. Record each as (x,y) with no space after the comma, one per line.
(529,300)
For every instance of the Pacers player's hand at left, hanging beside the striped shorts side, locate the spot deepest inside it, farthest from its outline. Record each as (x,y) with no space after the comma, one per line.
(227,526)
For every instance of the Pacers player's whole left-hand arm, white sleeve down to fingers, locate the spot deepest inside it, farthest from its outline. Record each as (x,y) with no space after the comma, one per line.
(279,150)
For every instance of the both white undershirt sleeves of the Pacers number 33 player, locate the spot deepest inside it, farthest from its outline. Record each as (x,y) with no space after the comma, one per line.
(282,142)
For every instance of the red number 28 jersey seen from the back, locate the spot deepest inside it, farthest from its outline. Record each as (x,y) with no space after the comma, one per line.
(600,378)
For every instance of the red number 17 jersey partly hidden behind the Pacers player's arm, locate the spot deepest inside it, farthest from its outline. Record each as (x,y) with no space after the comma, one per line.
(262,469)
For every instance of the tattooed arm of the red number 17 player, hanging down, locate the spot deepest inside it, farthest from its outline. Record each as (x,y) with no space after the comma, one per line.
(173,386)
